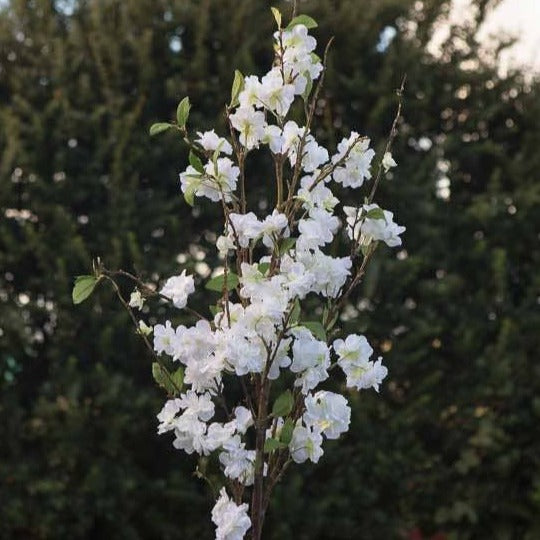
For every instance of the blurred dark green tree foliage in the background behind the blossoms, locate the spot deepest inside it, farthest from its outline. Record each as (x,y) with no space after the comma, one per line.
(451,450)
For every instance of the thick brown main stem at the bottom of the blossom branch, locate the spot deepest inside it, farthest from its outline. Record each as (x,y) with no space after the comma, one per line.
(257,500)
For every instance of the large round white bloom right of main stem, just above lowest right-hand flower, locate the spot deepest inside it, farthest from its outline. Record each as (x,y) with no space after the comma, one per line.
(327,412)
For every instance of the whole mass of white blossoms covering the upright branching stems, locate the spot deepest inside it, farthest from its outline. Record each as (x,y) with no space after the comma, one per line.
(259,338)
